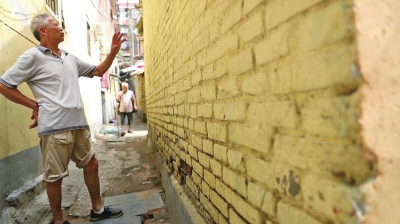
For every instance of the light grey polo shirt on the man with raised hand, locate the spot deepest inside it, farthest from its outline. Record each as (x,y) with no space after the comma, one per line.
(54,84)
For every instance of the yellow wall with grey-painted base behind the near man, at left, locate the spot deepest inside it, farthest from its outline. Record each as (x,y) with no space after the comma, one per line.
(20,158)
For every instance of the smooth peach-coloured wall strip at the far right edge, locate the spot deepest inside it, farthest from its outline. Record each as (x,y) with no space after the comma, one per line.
(378,43)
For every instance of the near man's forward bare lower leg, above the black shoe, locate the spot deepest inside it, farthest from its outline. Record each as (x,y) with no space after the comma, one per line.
(91,176)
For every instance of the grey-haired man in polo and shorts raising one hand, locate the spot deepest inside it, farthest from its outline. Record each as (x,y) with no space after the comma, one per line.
(52,74)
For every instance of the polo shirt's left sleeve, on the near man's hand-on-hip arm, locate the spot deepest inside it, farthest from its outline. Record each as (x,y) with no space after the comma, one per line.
(23,70)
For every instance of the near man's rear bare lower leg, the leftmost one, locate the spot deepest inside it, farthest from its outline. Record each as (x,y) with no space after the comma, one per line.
(54,195)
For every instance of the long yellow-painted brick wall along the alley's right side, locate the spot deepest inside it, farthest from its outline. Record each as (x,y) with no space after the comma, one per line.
(253,106)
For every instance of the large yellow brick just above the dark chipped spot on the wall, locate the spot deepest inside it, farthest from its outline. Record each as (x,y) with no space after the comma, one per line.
(336,156)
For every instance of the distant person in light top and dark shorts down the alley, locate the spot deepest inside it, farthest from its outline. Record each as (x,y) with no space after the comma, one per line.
(127,104)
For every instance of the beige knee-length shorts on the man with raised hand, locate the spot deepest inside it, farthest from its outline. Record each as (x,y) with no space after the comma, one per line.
(58,149)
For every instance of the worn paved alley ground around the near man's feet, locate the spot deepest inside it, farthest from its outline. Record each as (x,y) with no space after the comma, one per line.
(129,179)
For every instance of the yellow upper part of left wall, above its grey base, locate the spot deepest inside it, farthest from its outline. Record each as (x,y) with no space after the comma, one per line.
(15,38)
